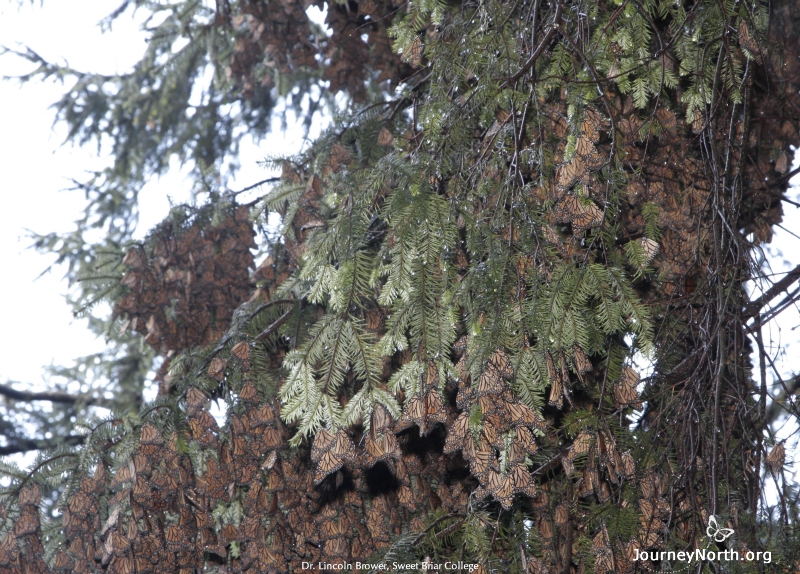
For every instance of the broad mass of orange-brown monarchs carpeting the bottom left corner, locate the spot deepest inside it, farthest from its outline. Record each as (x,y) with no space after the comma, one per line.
(160,504)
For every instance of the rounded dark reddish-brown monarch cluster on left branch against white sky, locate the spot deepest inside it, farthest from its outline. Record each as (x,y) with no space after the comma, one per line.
(182,291)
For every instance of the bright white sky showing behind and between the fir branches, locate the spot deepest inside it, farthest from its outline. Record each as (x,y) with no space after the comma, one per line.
(38,328)
